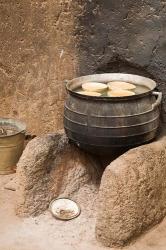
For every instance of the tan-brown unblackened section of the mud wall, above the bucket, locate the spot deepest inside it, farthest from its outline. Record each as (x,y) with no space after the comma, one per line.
(37,54)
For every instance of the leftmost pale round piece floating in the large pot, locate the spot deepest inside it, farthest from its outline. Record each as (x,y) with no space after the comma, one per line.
(94,86)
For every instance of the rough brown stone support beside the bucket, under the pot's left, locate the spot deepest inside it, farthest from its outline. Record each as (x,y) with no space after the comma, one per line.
(50,167)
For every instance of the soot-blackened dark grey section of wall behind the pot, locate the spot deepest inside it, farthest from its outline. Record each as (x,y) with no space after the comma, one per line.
(123,36)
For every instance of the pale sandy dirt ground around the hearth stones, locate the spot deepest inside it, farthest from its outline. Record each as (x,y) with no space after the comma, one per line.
(45,232)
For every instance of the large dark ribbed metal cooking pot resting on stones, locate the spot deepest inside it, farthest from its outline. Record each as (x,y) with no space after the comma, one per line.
(99,123)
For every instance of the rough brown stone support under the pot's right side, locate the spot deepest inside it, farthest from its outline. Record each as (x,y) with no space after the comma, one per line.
(132,196)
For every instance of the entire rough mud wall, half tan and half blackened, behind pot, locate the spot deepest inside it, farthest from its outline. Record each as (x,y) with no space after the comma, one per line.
(44,42)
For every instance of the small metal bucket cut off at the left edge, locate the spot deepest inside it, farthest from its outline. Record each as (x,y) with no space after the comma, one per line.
(11,145)
